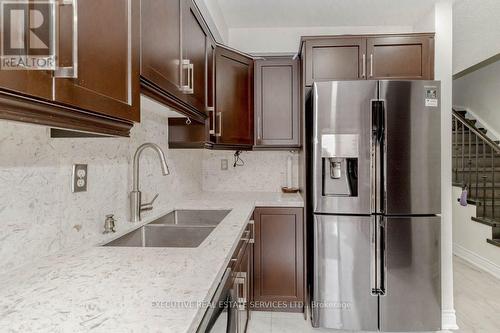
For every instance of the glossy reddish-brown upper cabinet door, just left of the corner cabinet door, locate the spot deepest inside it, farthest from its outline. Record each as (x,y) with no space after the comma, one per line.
(234,98)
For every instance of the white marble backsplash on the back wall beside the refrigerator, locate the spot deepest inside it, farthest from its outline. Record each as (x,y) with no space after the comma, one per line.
(263,171)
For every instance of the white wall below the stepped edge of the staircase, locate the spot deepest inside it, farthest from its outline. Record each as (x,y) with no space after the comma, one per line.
(469,238)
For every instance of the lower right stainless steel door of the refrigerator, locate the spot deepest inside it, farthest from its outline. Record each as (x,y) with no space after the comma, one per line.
(412,300)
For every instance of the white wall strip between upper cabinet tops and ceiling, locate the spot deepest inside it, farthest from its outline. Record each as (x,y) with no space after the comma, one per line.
(287,40)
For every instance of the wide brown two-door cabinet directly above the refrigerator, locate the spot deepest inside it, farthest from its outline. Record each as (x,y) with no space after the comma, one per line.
(369,57)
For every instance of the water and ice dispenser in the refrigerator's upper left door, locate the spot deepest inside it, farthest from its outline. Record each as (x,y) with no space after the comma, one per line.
(340,156)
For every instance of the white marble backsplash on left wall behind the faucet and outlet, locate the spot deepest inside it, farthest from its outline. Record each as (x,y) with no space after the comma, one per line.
(38,213)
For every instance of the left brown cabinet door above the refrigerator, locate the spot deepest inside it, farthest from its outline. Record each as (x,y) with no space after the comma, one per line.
(335,59)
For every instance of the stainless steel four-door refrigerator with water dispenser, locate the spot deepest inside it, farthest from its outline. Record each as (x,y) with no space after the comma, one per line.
(376,199)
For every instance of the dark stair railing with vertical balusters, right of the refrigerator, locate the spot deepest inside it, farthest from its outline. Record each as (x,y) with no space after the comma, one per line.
(467,167)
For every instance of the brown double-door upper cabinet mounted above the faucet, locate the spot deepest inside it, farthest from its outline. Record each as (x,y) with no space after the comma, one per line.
(174,51)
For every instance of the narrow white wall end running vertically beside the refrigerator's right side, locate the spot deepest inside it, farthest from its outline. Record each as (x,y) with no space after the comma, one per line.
(443,72)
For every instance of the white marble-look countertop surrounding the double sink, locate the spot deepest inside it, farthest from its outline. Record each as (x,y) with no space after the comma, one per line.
(118,289)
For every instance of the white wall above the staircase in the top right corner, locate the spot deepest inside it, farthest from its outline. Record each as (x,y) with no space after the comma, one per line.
(476,32)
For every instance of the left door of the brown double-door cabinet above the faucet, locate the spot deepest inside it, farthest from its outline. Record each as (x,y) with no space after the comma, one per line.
(161,44)
